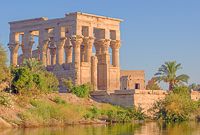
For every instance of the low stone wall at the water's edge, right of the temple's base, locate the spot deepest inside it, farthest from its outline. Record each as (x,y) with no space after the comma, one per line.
(128,98)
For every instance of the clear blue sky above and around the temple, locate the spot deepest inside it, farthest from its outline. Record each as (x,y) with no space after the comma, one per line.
(153,31)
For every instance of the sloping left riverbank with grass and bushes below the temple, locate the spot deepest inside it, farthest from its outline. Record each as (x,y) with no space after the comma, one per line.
(31,99)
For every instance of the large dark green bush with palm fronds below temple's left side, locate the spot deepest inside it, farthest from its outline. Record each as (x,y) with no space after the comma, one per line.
(33,80)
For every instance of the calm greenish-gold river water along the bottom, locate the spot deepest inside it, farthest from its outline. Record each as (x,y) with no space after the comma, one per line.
(148,128)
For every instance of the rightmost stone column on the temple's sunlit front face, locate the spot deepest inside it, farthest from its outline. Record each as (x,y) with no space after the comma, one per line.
(115,45)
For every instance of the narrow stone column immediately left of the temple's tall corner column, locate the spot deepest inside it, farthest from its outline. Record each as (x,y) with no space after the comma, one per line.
(68,51)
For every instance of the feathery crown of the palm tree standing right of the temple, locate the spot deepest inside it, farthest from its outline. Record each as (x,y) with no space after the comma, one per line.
(167,73)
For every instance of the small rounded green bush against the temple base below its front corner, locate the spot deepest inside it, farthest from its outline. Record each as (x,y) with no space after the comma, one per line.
(82,90)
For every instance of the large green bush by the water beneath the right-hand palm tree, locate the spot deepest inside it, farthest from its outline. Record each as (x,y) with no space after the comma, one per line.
(176,107)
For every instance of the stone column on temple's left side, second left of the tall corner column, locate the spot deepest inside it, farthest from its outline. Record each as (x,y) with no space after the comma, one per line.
(60,51)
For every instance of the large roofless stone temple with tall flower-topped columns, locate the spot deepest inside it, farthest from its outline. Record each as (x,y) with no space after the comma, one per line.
(79,46)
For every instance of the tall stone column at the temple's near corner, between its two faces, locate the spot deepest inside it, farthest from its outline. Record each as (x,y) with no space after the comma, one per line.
(76,43)
